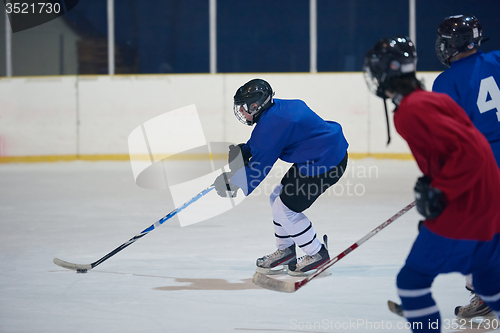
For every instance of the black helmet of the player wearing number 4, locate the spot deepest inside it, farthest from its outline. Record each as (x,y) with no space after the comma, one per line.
(457,34)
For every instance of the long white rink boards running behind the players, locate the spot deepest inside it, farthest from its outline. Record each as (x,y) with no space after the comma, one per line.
(94,115)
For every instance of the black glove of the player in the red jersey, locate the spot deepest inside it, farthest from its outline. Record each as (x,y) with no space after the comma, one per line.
(430,200)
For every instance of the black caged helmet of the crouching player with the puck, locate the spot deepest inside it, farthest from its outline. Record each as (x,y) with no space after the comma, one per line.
(253,97)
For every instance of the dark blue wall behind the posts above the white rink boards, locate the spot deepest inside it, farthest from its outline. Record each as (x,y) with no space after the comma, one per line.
(172,36)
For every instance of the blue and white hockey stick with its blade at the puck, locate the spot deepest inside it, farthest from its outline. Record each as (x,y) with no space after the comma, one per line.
(83,268)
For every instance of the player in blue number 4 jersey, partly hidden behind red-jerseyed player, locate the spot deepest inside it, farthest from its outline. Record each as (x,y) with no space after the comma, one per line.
(473,81)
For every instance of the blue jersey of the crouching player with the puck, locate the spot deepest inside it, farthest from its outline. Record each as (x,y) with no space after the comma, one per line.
(292,132)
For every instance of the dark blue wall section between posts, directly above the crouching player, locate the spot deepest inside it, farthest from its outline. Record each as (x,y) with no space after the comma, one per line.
(263,36)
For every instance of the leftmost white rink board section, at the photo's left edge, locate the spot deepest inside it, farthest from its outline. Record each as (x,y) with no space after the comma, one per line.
(38,116)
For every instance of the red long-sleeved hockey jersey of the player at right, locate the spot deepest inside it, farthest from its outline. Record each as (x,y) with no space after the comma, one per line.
(458,158)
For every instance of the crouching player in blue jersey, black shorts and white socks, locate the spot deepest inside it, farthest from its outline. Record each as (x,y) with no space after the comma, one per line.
(288,130)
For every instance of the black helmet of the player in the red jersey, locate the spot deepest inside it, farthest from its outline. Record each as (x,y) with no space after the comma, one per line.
(390,57)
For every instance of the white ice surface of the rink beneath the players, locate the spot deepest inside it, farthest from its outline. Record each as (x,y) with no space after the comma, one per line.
(196,278)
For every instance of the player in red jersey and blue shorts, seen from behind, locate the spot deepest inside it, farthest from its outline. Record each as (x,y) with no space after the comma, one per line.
(461,230)
